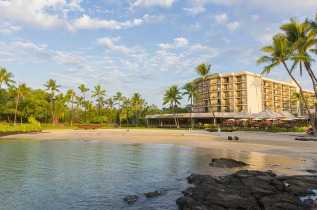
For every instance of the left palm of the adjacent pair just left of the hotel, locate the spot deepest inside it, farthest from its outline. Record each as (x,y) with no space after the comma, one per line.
(173,96)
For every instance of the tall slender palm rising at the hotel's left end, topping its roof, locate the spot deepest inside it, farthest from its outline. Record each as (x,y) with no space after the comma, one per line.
(204,70)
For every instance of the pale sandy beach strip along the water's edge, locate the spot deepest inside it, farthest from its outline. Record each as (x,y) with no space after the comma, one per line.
(262,142)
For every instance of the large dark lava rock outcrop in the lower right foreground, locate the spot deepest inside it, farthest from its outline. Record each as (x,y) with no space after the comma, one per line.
(248,190)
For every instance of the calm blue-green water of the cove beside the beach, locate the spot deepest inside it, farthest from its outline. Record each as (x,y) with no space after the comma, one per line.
(98,175)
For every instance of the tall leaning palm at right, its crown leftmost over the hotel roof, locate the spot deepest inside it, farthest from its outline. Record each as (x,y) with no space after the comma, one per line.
(279,52)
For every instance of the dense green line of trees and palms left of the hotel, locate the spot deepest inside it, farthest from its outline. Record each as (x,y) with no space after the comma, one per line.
(18,102)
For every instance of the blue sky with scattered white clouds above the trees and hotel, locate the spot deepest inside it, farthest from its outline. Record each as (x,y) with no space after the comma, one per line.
(140,46)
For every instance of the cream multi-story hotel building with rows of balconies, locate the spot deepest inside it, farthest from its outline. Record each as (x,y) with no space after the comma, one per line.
(234,92)
